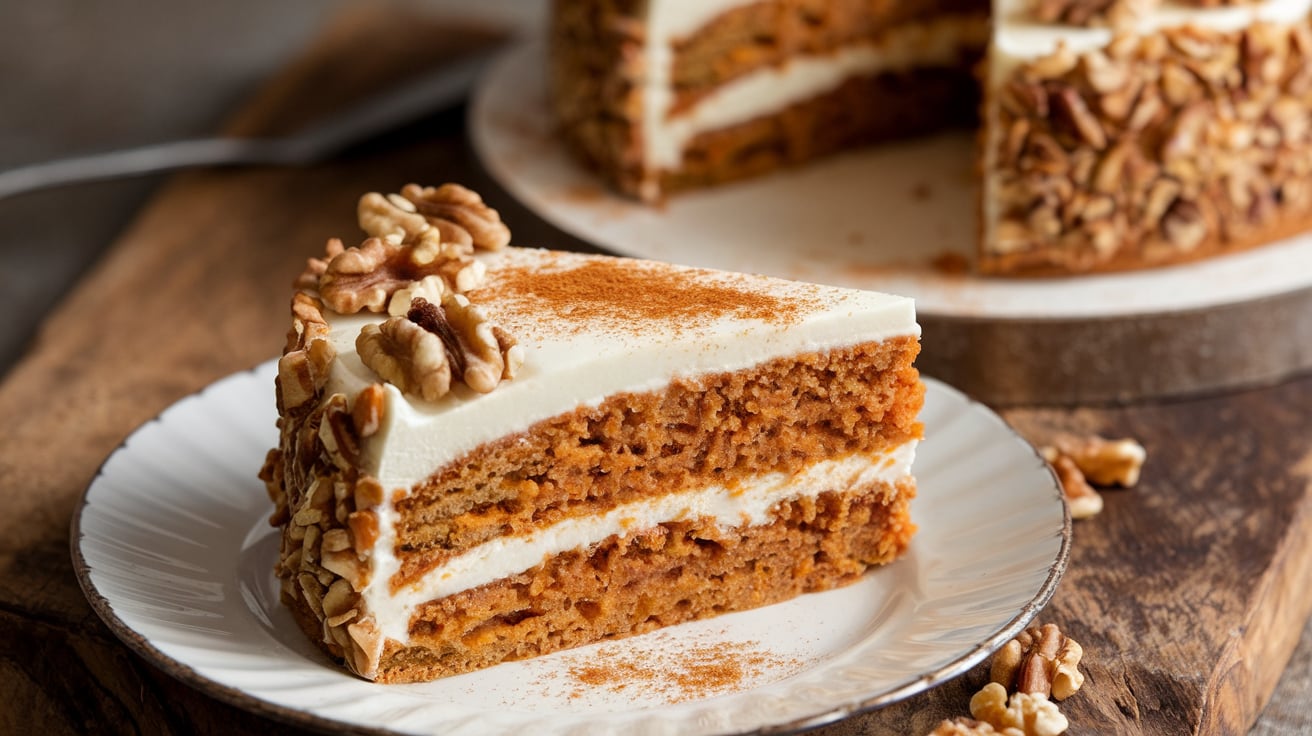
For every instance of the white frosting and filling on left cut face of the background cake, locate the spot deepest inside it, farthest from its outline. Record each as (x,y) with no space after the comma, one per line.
(935,43)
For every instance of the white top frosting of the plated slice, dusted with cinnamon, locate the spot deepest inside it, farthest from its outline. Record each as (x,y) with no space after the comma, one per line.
(577,360)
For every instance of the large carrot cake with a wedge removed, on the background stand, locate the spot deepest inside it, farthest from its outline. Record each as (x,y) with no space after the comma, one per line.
(1115,134)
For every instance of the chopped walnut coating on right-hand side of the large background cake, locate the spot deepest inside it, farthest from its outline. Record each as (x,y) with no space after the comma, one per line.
(1153,149)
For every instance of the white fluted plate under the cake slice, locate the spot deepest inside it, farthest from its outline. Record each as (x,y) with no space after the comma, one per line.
(173,550)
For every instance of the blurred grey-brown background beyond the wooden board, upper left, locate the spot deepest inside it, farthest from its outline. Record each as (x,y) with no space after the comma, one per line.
(79,77)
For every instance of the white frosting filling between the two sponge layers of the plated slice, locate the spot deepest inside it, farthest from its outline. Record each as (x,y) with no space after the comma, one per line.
(747,503)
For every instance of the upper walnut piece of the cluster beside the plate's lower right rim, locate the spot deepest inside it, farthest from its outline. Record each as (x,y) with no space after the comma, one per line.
(1042,661)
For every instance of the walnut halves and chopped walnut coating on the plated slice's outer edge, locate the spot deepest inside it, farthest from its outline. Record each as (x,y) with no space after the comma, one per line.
(419,253)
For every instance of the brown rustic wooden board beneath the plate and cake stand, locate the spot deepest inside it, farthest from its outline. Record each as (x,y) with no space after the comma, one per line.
(1188,594)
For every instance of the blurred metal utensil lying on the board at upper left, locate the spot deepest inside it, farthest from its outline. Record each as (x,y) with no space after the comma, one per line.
(428,94)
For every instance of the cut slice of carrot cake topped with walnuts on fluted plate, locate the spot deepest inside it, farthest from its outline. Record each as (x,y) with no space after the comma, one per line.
(491,453)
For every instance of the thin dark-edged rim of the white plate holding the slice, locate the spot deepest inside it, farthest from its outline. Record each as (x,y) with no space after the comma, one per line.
(233,696)
